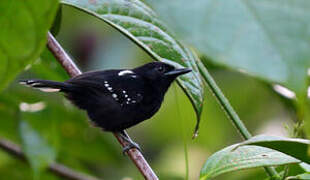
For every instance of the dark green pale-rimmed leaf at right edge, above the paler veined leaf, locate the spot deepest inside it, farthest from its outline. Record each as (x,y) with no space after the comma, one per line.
(294,147)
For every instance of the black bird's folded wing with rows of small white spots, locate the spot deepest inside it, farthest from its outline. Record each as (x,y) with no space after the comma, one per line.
(125,89)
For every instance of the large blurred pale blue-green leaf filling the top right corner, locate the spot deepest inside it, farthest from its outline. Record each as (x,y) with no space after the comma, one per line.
(268,39)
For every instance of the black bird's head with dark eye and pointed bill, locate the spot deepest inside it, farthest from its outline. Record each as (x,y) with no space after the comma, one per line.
(160,74)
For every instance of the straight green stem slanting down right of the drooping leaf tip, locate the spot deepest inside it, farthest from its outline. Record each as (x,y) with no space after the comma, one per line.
(231,113)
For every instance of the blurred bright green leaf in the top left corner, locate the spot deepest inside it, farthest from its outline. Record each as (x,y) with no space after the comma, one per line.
(24,25)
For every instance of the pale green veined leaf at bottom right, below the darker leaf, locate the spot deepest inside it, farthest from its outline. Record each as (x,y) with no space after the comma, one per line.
(232,159)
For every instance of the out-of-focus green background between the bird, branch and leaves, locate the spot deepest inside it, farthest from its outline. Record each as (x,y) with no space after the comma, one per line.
(164,139)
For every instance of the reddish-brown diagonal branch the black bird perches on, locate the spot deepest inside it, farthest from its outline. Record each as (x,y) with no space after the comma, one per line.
(63,58)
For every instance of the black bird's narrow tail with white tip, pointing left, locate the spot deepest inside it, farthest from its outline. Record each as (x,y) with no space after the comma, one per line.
(46,85)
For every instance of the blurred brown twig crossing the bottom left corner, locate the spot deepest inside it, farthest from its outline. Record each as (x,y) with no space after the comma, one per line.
(56,168)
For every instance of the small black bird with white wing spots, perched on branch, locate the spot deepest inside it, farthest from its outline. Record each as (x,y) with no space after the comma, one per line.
(117,99)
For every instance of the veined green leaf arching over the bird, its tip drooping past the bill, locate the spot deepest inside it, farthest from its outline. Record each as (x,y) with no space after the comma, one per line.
(141,25)
